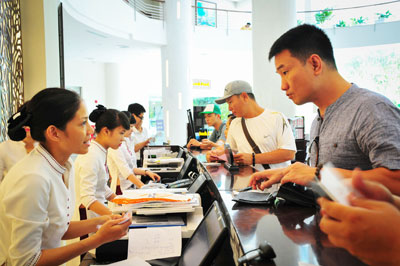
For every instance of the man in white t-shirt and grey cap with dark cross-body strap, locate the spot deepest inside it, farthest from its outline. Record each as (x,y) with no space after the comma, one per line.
(269,130)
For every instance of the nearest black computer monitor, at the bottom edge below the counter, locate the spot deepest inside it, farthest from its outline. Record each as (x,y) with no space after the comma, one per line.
(203,246)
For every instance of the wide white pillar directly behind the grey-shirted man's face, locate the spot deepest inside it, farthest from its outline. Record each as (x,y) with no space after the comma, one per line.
(271,19)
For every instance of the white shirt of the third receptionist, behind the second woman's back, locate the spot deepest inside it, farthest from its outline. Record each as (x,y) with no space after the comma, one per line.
(121,163)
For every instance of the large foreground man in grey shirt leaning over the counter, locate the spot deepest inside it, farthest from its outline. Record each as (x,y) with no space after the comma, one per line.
(355,127)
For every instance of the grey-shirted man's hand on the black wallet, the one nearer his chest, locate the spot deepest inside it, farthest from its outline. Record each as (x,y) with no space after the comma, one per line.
(298,173)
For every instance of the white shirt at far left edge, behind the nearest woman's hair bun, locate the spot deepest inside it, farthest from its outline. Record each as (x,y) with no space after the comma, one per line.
(10,153)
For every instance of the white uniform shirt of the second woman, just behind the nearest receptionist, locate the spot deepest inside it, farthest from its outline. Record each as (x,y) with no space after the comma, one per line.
(91,176)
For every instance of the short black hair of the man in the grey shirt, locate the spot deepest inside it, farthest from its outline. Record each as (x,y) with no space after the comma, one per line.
(303,41)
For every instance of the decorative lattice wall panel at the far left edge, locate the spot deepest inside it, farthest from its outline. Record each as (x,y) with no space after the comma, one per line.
(11,78)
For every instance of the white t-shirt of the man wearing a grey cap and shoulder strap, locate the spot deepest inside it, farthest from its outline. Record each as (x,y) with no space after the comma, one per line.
(270,131)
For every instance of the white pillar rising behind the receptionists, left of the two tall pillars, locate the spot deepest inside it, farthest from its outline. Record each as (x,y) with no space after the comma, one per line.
(175,60)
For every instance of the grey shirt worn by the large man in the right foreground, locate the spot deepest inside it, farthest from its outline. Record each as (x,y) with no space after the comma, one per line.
(361,129)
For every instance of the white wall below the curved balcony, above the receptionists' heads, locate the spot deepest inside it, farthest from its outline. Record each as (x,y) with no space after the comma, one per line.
(116,85)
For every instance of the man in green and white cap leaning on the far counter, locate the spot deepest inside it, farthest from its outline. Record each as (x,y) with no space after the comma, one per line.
(212,115)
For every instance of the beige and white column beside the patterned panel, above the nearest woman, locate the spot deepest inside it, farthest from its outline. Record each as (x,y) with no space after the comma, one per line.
(40,45)
